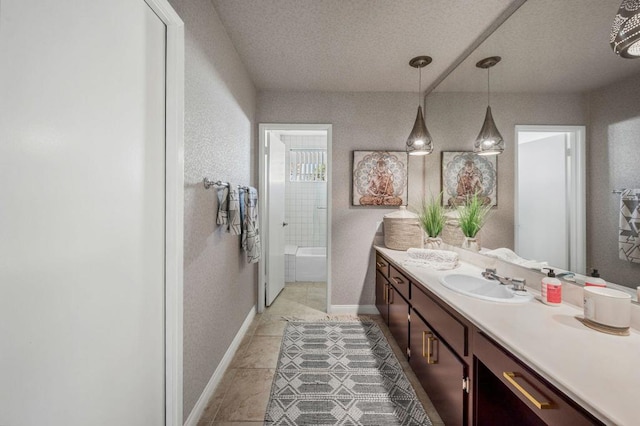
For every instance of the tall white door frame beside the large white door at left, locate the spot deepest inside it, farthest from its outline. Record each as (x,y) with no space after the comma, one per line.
(174,208)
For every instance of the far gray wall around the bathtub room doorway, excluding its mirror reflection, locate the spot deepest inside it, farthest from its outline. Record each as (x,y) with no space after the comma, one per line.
(361,121)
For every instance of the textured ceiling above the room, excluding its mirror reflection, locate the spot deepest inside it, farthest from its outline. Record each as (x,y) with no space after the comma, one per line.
(354,45)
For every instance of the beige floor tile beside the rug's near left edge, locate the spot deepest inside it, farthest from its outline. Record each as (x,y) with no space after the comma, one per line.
(248,397)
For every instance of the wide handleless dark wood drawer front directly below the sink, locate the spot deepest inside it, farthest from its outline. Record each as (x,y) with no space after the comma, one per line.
(448,326)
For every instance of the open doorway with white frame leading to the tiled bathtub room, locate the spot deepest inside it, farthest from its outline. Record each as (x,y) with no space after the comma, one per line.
(295,205)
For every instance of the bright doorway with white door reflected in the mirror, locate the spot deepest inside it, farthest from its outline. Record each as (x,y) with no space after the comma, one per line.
(550,195)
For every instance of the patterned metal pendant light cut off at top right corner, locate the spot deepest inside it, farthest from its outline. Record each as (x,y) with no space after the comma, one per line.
(625,31)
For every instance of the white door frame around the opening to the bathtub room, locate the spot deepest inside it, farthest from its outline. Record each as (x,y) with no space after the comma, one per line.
(263,128)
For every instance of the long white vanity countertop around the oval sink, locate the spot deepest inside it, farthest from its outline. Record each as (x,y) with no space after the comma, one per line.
(599,371)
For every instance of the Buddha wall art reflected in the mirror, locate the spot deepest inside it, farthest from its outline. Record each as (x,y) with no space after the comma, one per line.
(465,174)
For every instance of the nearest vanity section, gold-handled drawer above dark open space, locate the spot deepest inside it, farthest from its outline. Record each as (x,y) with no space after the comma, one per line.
(507,392)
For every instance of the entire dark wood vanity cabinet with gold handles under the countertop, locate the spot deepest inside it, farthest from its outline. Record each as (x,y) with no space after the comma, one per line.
(470,379)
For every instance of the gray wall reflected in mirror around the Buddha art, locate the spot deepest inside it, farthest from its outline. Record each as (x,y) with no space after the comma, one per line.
(454,120)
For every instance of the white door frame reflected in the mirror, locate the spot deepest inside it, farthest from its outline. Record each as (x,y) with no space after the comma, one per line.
(577,192)
